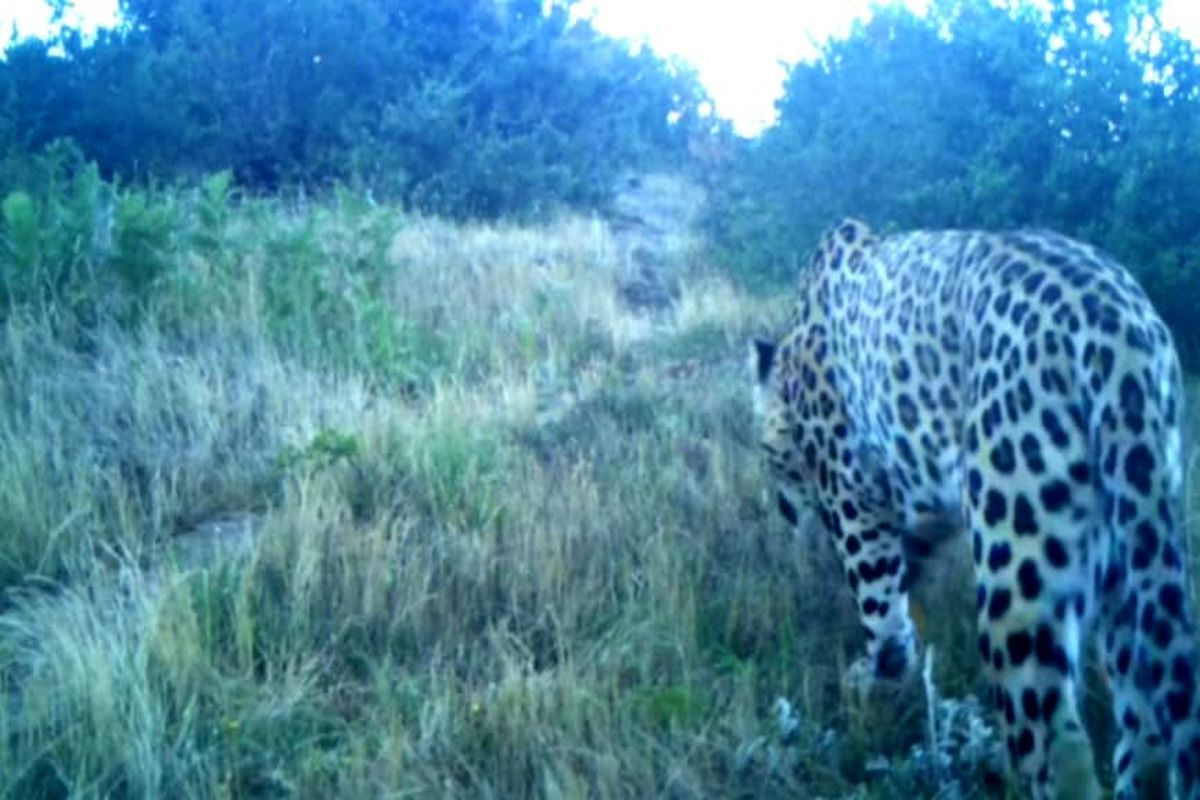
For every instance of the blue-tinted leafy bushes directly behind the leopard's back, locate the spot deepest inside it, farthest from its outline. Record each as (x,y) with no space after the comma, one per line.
(1085,119)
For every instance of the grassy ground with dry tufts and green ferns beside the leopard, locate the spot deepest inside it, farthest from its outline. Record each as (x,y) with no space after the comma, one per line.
(356,504)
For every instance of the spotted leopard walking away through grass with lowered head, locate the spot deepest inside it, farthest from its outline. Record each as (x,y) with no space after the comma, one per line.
(1017,393)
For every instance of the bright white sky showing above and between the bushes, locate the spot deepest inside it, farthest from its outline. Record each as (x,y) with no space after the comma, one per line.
(735,45)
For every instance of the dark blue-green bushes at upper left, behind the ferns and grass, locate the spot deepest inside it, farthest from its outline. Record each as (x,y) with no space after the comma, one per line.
(471,109)
